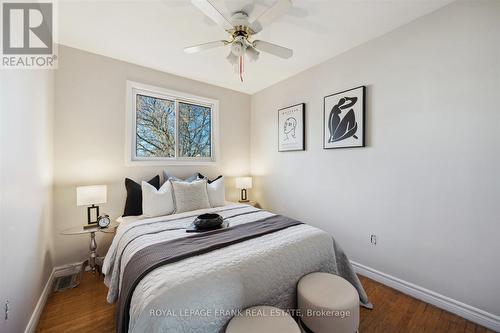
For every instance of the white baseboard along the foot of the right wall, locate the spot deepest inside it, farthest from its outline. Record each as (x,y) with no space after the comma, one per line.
(463,310)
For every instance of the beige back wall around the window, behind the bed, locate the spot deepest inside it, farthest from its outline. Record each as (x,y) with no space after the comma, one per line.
(90,138)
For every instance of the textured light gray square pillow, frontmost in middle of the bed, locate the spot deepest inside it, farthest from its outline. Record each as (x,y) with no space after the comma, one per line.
(190,196)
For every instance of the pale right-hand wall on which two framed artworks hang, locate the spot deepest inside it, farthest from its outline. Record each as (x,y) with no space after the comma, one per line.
(428,182)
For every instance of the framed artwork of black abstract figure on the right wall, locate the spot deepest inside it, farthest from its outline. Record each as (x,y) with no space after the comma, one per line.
(344,119)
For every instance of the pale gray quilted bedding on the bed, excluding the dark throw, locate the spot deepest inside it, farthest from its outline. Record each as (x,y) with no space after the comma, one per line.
(200,293)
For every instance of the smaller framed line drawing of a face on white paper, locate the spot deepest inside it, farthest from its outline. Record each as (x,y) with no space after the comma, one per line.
(291,128)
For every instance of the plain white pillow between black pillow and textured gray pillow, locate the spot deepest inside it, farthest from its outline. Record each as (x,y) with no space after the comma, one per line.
(157,202)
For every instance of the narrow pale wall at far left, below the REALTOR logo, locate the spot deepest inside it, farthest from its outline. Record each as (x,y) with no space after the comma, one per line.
(26,228)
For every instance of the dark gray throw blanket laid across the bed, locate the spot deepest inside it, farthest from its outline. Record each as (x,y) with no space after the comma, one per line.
(156,255)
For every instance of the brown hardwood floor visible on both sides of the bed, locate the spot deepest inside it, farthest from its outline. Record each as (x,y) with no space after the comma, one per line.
(84,309)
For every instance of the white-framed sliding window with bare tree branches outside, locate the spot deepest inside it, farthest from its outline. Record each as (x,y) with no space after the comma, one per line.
(166,127)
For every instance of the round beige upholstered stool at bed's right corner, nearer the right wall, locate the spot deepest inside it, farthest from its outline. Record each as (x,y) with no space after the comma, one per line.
(328,303)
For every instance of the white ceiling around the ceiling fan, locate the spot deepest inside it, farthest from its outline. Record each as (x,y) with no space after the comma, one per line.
(154,33)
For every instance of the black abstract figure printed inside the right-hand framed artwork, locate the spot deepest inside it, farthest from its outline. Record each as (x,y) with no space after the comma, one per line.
(346,127)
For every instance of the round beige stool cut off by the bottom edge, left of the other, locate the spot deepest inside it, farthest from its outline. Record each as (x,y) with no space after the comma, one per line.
(262,319)
